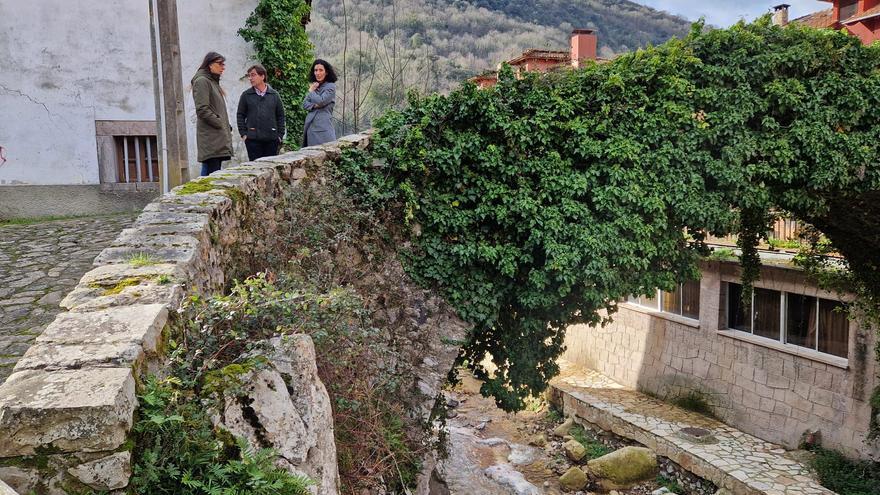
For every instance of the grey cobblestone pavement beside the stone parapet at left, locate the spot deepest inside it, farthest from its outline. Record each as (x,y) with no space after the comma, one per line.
(39,264)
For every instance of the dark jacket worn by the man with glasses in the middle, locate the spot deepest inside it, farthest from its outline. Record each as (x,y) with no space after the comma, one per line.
(260,118)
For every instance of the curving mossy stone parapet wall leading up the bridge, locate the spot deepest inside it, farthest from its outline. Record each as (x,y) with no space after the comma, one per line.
(68,408)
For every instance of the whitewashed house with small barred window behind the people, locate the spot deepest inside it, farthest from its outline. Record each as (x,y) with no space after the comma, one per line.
(97,104)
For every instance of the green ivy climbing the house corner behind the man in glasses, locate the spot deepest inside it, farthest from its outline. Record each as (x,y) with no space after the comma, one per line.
(277,30)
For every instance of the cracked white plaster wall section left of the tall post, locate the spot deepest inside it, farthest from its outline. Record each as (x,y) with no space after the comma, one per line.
(63,65)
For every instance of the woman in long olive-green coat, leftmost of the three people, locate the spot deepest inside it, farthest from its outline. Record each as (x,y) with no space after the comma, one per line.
(213,132)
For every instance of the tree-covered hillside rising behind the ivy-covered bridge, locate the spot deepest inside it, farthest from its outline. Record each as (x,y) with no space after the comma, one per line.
(393,46)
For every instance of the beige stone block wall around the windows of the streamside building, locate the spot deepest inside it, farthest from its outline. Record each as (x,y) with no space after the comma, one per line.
(773,392)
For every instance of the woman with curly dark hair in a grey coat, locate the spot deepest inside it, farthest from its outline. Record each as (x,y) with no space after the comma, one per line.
(319,102)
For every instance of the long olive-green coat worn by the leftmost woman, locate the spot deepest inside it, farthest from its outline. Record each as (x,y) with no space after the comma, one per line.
(213,132)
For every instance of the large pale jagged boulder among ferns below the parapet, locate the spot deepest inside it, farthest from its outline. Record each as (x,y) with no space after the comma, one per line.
(286,407)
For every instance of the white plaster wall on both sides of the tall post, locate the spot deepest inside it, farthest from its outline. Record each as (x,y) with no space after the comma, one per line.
(65,64)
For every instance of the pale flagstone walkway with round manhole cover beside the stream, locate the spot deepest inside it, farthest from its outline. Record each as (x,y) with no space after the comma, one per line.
(735,461)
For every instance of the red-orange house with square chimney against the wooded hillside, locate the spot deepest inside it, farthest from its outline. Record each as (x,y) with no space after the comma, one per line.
(583,46)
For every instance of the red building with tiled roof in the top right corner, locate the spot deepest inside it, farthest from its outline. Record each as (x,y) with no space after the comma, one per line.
(860,18)
